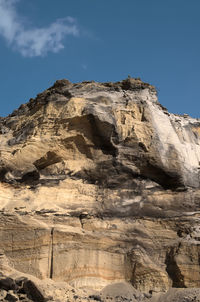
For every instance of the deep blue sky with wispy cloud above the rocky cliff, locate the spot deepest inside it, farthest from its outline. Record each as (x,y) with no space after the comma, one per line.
(45,40)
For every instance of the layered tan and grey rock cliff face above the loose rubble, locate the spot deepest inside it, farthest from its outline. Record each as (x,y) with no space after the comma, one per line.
(100,184)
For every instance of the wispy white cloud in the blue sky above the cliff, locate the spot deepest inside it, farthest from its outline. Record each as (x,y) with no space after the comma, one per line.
(34,41)
